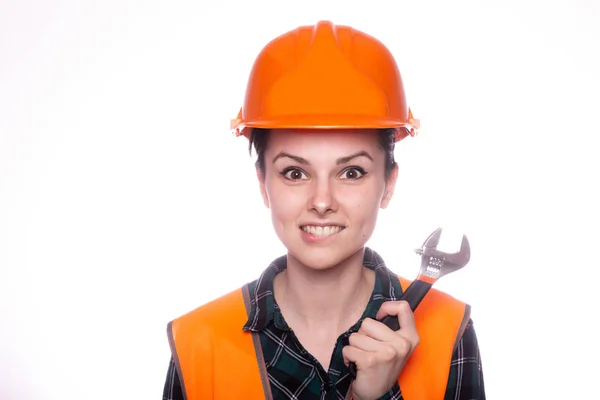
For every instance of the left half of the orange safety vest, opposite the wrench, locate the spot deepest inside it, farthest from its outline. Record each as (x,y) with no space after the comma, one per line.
(209,347)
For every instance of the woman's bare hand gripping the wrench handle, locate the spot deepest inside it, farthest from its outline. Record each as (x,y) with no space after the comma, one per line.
(379,352)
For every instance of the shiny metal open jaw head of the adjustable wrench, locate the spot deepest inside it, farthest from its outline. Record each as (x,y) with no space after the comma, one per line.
(435,263)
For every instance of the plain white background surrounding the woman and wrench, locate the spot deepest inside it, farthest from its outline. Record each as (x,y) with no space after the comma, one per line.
(125,201)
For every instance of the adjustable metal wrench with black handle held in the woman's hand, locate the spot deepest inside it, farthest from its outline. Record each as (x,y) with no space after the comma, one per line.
(434,265)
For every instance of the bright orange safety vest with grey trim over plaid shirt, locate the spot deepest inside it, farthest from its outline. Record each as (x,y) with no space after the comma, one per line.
(216,359)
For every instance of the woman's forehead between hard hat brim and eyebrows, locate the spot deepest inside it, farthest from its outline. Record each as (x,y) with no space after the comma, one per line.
(332,141)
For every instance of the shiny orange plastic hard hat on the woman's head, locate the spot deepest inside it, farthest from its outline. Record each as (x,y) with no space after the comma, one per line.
(325,77)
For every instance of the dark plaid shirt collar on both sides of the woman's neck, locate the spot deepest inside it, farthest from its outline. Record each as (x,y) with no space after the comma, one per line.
(264,309)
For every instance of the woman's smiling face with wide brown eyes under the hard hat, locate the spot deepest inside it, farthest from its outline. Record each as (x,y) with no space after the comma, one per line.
(324,190)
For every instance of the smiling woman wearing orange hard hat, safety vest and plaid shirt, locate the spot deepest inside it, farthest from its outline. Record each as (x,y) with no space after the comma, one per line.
(324,109)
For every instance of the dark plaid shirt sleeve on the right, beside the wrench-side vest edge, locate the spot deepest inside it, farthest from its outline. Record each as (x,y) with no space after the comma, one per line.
(465,380)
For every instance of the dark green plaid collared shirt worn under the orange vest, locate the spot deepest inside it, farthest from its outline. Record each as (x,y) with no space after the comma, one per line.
(296,374)
